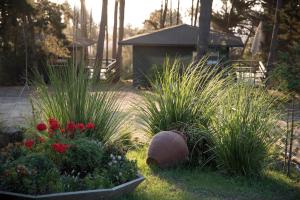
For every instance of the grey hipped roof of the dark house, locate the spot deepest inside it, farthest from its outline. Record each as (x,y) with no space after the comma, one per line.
(182,35)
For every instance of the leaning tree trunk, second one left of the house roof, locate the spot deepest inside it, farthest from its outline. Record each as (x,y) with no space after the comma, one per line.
(100,43)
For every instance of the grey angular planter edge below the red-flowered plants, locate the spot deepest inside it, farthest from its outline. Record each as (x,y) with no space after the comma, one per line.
(99,194)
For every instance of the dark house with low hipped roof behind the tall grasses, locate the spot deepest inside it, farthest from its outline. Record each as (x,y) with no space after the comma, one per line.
(151,49)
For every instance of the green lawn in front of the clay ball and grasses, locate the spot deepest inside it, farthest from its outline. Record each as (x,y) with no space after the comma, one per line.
(184,184)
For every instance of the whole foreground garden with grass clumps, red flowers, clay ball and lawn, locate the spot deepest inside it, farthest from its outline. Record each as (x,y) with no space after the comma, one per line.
(80,141)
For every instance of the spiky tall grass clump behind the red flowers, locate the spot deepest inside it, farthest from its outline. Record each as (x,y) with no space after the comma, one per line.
(73,97)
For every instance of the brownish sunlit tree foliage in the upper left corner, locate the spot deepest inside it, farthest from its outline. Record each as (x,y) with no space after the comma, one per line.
(35,24)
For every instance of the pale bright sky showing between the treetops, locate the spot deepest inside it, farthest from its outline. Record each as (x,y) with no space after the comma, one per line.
(136,11)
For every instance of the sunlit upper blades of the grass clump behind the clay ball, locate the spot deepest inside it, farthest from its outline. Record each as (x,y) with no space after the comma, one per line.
(181,95)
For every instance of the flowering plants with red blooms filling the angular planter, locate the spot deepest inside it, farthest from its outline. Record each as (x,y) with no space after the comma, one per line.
(62,158)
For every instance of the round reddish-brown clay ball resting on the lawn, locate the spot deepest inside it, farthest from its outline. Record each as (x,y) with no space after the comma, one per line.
(167,149)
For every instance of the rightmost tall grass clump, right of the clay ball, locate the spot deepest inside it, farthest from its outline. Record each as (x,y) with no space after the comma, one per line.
(243,129)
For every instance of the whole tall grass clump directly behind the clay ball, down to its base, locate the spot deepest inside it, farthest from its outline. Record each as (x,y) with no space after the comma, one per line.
(183,98)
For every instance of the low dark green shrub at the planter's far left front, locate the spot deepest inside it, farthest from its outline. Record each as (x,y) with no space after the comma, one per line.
(32,174)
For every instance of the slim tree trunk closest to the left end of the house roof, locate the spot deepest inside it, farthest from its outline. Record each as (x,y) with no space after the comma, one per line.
(121,34)
